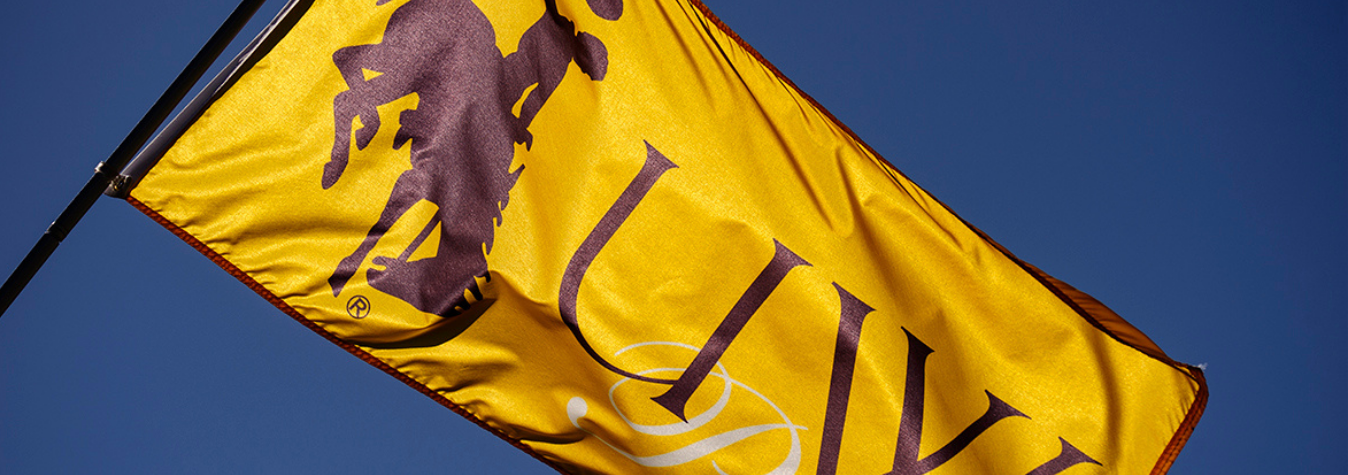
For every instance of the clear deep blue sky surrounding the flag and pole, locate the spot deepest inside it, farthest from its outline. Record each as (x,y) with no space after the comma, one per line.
(1186,164)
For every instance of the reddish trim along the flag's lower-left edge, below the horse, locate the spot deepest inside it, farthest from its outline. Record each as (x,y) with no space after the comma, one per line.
(281,304)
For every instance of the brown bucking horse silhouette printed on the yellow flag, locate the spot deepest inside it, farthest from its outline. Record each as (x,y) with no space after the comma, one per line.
(462,133)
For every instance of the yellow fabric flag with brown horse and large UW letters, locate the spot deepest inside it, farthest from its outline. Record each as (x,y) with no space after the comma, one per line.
(614,235)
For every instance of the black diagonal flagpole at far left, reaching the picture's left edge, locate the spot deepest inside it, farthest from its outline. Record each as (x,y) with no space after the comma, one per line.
(113,167)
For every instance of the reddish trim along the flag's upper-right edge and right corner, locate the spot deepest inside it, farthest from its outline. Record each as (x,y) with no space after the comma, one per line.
(1093,311)
